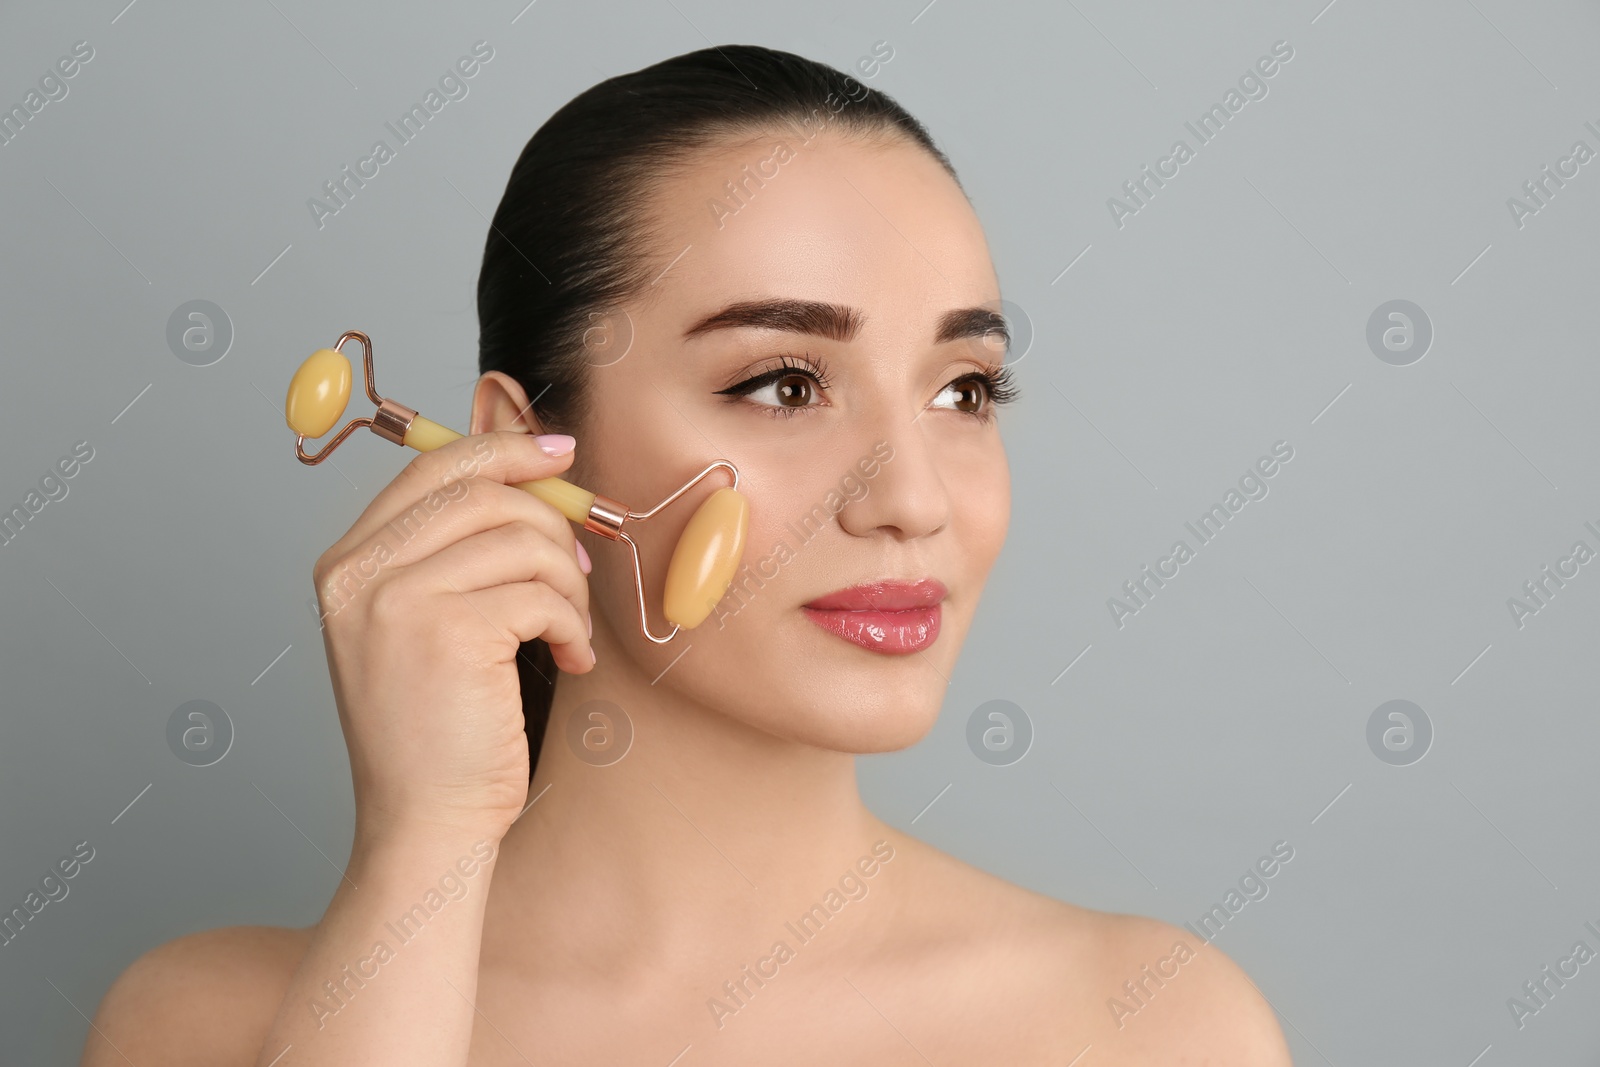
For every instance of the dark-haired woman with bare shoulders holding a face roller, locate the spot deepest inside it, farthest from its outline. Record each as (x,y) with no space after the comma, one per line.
(732,255)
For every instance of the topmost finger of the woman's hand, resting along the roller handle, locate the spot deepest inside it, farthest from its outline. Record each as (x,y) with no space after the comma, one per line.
(505,457)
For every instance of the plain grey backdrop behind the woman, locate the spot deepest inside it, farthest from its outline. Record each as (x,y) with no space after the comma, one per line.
(1226,316)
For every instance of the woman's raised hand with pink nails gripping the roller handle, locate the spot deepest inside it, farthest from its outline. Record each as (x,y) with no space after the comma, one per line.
(425,604)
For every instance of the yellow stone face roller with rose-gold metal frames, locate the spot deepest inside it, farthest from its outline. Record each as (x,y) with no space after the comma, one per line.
(703,564)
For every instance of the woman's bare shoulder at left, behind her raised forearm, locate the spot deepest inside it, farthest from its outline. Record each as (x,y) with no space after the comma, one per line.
(206,999)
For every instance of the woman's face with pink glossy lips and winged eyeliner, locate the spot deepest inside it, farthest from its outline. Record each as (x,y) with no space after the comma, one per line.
(886,473)
